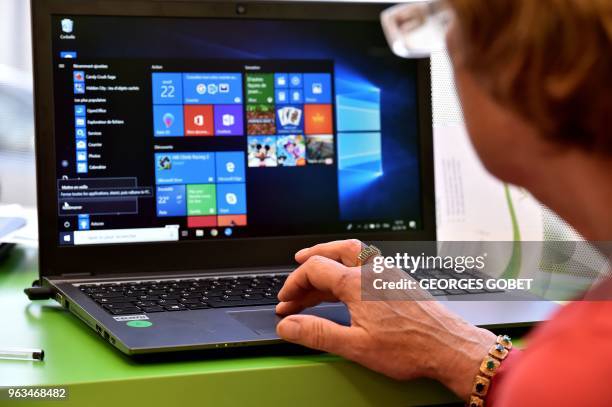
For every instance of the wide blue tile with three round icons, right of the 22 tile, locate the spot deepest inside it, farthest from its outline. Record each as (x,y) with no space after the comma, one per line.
(212,88)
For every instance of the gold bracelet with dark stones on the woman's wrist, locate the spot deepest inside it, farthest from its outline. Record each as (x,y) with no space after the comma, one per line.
(488,368)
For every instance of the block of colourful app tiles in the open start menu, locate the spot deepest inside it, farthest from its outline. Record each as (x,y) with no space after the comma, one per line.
(271,116)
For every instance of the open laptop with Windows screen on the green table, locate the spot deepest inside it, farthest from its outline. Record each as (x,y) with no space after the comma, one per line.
(187,149)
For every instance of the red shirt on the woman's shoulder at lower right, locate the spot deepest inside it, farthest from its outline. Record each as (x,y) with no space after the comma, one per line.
(567,362)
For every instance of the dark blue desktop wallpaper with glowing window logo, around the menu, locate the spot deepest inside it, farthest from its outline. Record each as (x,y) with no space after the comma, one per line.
(375,94)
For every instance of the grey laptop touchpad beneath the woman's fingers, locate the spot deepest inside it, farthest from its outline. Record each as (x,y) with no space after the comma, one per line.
(263,322)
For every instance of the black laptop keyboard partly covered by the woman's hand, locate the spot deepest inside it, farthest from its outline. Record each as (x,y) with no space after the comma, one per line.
(201,293)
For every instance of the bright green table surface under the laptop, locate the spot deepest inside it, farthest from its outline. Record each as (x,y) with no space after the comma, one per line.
(96,374)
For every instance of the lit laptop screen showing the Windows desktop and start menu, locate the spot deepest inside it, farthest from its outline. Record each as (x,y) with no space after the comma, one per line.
(171,129)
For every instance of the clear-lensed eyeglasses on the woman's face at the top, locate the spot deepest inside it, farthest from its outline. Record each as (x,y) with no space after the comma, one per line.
(415,30)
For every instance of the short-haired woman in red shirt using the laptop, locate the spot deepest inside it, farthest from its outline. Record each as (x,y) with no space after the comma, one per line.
(535,81)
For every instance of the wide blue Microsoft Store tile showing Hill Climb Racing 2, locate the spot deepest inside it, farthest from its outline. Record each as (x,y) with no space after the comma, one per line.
(184,168)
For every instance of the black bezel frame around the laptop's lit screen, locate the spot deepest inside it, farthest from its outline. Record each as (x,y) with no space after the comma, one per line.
(184,256)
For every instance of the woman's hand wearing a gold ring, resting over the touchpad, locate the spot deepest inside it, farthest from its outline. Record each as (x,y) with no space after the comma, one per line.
(401,339)
